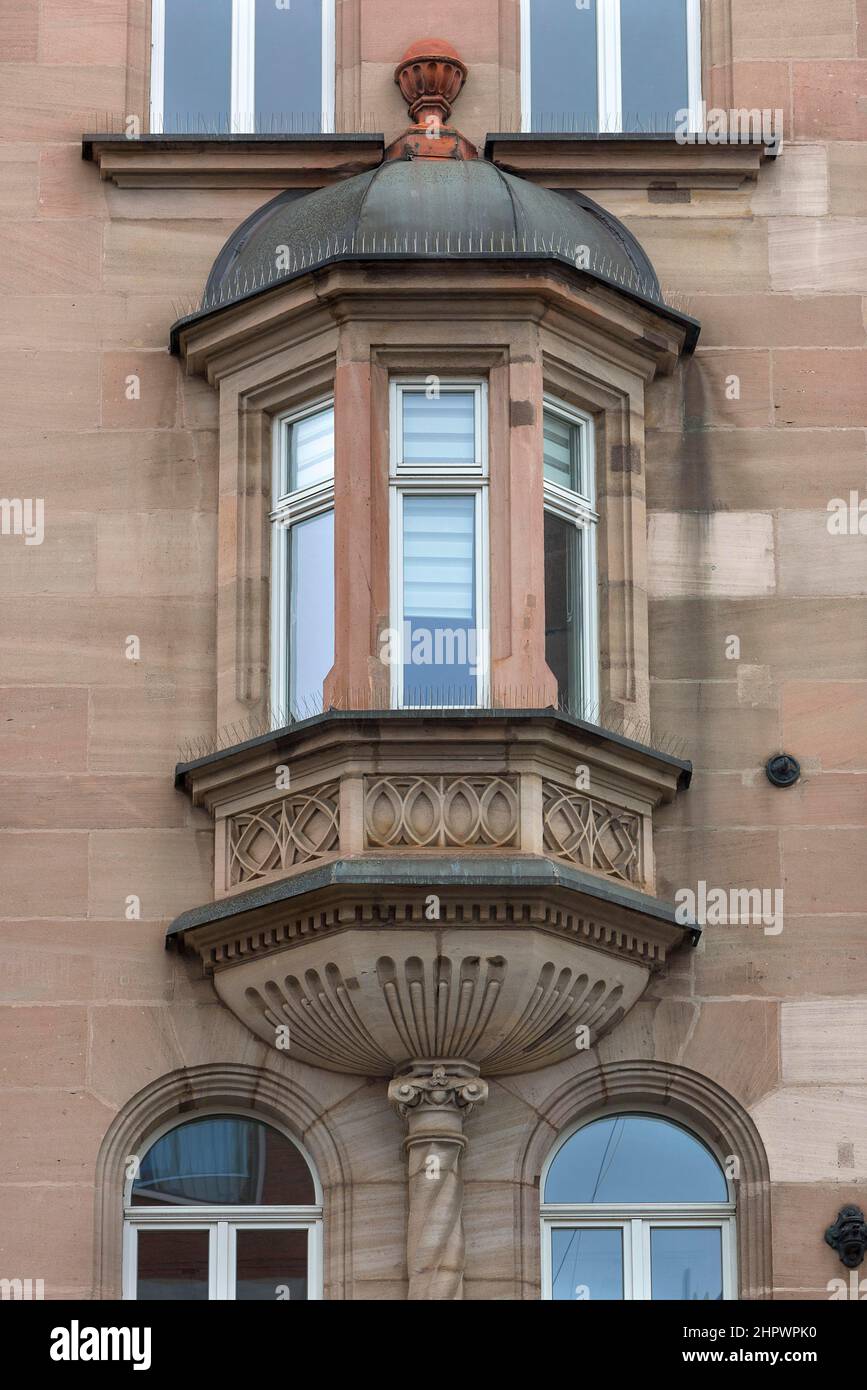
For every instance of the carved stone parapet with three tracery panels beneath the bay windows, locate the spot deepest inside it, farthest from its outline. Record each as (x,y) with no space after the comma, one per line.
(434,785)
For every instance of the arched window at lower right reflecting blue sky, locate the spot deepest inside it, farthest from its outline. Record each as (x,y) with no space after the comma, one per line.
(636,1207)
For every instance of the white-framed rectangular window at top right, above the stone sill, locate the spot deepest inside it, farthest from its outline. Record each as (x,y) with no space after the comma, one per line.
(611,65)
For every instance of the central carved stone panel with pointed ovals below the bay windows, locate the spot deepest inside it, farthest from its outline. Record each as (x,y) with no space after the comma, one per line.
(438,812)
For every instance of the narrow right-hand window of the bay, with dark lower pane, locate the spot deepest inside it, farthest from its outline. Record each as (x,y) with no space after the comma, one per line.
(570,558)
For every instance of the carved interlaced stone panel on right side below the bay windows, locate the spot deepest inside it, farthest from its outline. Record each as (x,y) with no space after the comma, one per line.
(593,833)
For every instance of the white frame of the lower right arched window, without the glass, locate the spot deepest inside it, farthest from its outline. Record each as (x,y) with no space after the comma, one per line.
(637,1220)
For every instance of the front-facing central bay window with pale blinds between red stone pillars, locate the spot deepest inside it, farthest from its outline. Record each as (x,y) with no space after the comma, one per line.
(438,648)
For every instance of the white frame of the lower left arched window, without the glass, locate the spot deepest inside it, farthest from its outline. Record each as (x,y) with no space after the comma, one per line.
(223,1221)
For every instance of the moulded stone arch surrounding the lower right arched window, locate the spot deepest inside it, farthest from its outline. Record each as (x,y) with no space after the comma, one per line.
(700,1104)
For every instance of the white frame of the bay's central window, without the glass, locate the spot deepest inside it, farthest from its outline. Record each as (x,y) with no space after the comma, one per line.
(440,480)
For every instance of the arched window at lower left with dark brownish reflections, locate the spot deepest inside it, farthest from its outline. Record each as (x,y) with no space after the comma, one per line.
(222,1209)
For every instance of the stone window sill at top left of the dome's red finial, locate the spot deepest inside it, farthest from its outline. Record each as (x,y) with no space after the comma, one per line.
(231,161)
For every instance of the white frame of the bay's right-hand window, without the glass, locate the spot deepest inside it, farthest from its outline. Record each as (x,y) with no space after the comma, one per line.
(579,508)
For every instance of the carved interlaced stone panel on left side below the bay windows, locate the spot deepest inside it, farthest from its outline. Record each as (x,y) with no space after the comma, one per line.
(283,835)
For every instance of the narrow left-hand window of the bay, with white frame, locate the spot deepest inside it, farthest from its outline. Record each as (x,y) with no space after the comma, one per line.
(302,562)
